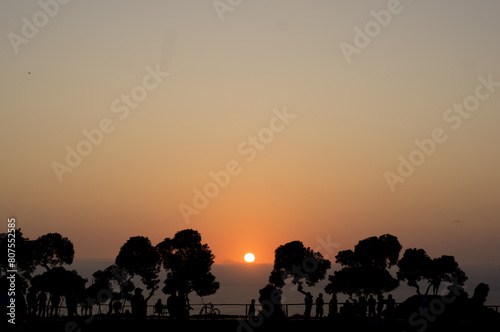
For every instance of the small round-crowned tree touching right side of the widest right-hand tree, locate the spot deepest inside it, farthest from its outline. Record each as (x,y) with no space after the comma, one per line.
(414,266)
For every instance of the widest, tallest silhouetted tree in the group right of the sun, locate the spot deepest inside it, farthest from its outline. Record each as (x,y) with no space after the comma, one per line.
(365,270)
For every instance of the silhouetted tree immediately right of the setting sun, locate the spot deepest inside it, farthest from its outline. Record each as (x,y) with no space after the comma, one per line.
(301,263)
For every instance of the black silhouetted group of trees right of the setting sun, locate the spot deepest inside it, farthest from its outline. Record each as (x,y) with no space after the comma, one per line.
(365,270)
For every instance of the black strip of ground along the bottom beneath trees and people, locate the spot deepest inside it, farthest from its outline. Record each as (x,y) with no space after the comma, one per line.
(105,324)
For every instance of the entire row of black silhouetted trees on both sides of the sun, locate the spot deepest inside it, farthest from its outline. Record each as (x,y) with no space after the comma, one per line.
(187,263)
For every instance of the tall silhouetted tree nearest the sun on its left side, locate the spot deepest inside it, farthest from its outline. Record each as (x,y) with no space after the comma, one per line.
(188,263)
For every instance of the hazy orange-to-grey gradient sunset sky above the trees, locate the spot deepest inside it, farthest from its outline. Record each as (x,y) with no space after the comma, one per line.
(321,177)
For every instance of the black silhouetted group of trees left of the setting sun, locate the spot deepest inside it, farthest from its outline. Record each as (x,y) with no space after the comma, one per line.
(185,259)
